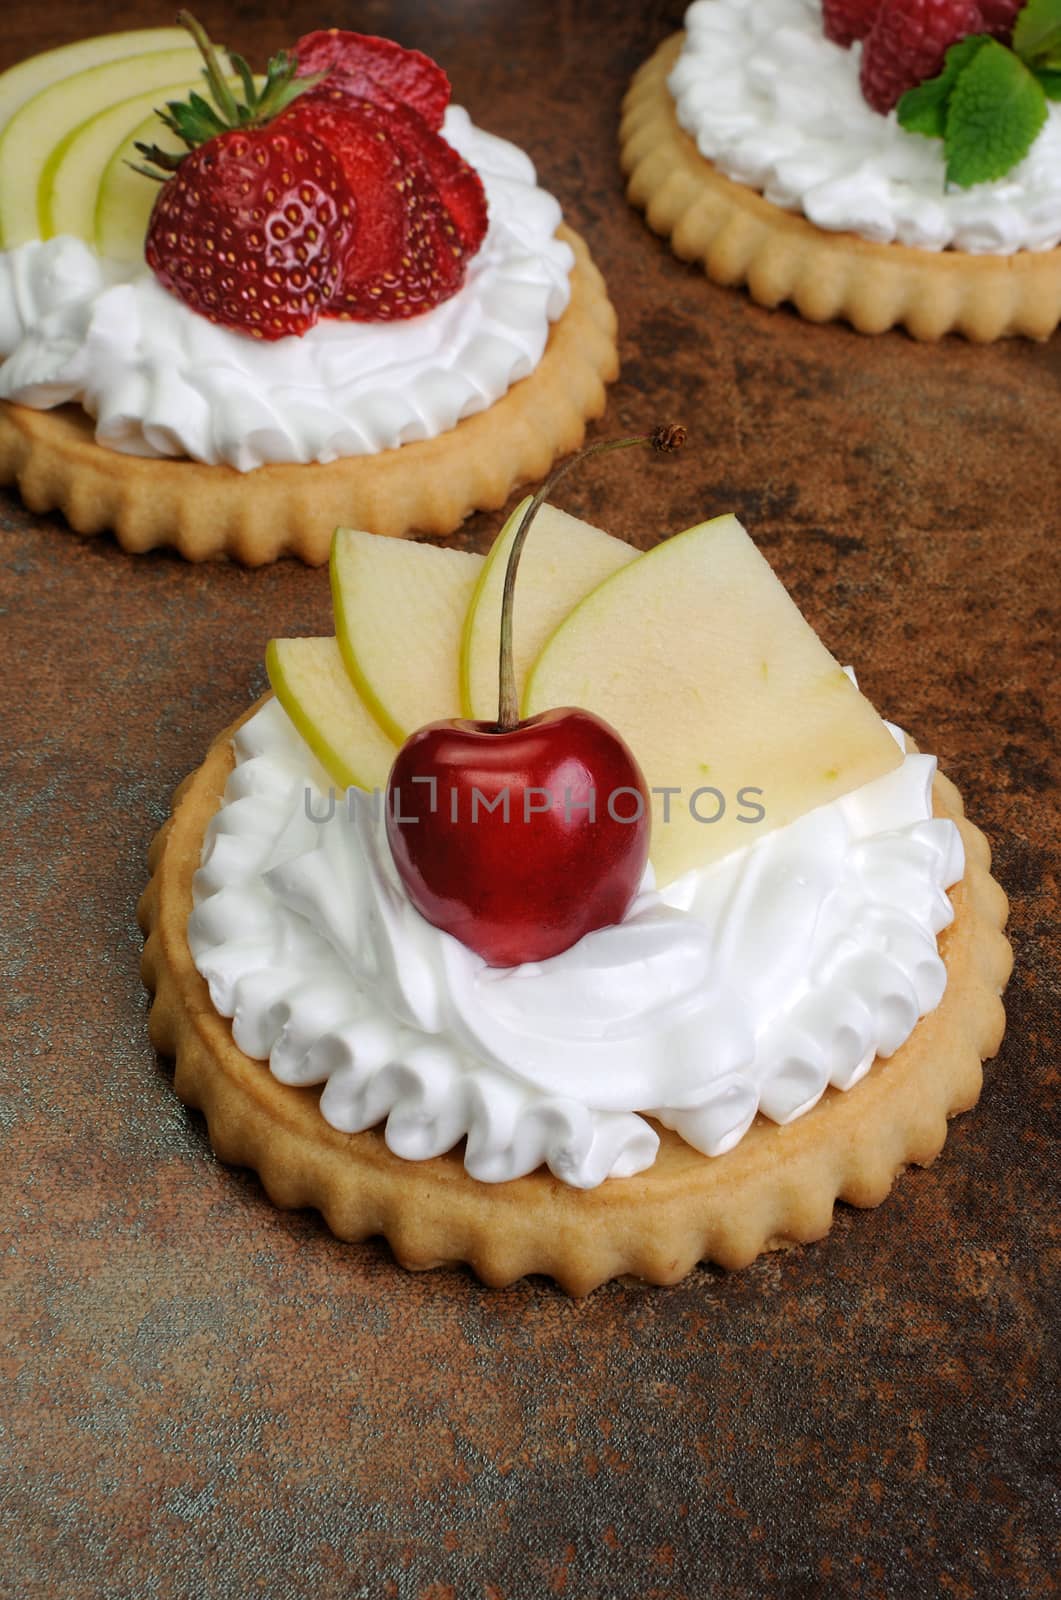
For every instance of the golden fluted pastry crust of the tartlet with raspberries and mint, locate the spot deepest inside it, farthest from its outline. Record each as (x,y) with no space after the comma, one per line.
(779,255)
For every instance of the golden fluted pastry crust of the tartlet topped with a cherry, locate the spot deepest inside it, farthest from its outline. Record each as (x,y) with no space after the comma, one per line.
(779,1186)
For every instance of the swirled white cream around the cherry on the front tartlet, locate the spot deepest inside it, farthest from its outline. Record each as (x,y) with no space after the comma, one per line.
(747,988)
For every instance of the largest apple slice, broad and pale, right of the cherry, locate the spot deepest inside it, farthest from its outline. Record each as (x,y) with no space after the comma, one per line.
(699,657)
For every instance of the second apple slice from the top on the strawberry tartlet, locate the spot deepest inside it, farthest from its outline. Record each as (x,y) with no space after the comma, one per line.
(46,121)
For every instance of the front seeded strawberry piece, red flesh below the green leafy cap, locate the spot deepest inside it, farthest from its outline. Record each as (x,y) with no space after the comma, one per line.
(254,230)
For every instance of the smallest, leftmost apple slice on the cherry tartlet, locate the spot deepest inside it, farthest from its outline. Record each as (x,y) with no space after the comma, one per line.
(311,682)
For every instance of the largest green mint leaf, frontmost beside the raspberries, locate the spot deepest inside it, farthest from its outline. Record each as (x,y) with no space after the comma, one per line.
(996,111)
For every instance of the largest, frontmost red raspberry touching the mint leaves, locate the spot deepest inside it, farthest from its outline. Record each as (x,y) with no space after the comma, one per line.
(908,44)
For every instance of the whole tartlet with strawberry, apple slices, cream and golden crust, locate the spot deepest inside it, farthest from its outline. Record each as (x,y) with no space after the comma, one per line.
(284,366)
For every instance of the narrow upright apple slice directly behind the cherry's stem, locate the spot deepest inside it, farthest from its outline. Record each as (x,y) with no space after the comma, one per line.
(563,564)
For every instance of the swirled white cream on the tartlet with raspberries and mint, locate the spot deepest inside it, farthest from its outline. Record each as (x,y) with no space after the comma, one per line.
(775,105)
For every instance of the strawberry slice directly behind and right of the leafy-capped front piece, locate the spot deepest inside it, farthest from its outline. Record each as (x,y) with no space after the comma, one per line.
(407,255)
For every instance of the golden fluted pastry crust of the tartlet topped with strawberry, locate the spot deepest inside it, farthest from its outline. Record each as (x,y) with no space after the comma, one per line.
(426,487)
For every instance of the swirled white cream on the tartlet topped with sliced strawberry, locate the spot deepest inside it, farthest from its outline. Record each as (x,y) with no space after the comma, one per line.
(164,382)
